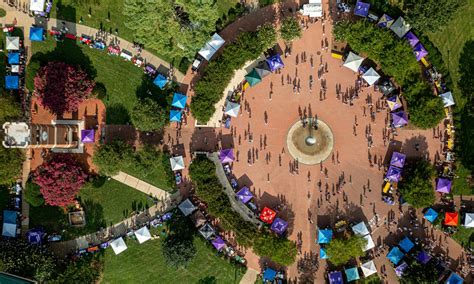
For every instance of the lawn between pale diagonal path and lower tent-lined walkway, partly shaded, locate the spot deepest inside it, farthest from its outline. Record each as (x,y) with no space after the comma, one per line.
(104,204)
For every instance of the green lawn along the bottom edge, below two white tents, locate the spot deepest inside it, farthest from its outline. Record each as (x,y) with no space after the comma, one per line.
(145,264)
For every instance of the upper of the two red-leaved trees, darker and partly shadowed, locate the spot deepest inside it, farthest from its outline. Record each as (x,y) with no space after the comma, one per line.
(61,87)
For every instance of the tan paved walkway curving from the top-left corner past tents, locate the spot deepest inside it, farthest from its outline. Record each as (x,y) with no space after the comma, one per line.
(24,20)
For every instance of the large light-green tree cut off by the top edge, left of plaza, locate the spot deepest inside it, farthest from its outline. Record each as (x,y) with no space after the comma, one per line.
(174,28)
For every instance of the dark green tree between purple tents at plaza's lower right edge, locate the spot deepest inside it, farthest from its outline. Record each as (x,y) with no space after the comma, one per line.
(417,184)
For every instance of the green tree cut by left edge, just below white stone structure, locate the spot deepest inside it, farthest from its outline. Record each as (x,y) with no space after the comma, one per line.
(14,158)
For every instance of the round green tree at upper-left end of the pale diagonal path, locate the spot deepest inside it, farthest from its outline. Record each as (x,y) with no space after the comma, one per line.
(110,158)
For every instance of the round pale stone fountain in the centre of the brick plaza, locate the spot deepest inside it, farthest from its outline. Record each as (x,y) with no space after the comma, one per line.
(310,144)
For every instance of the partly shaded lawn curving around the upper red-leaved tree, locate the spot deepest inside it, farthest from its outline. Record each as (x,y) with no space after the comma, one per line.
(123,81)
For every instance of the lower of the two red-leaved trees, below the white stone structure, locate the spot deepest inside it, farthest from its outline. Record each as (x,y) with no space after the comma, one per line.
(60,180)
